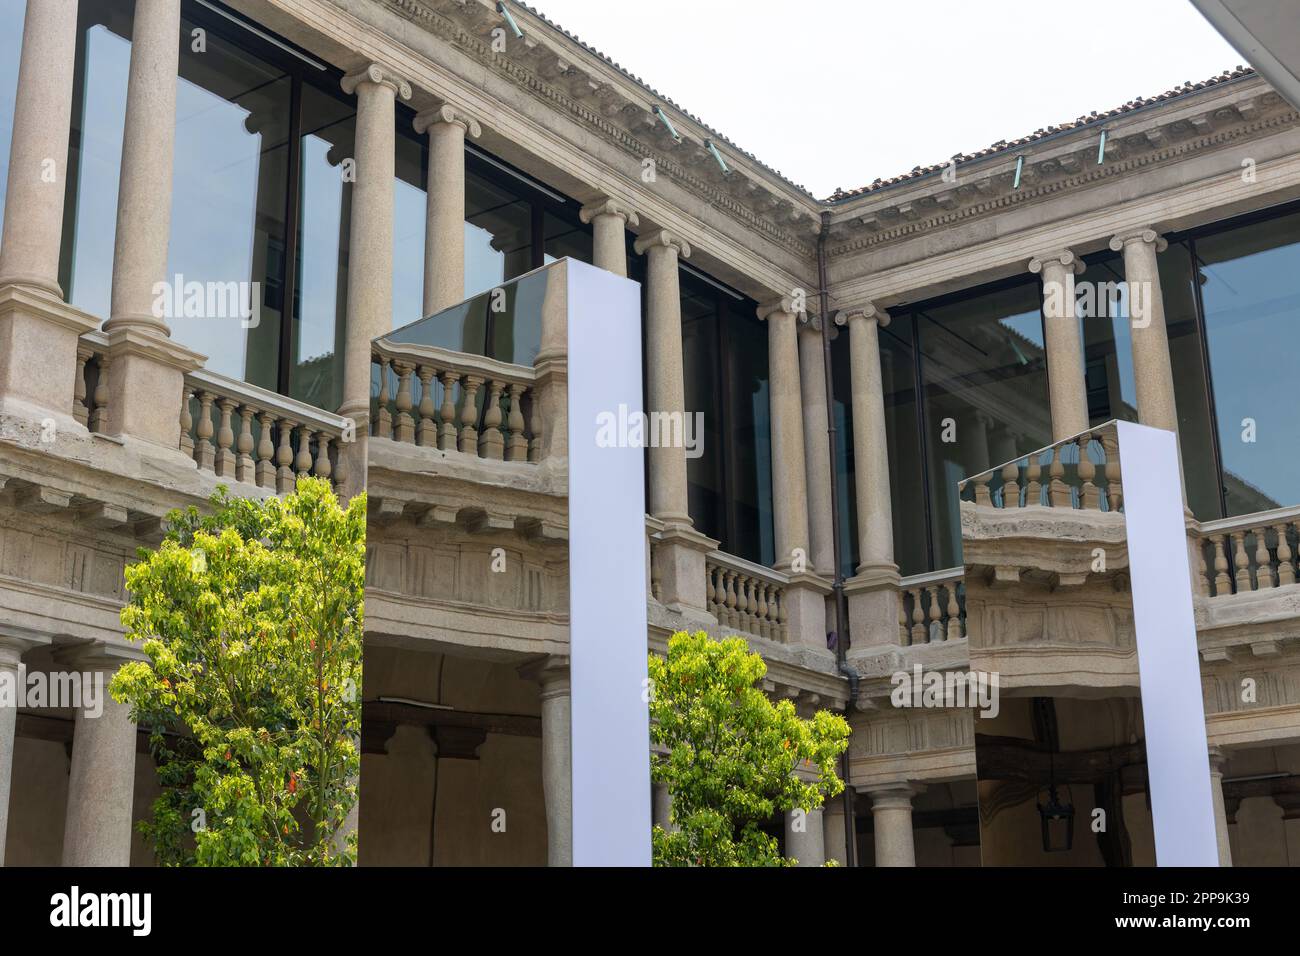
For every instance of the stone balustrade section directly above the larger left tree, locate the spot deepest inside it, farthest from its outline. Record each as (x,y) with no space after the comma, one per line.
(252,436)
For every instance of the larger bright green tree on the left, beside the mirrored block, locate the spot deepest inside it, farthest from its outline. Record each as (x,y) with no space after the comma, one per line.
(252,622)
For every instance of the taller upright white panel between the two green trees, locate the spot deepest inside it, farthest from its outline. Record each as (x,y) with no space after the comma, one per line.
(608,577)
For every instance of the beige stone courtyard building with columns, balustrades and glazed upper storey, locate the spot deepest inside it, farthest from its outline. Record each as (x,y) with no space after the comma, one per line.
(359,165)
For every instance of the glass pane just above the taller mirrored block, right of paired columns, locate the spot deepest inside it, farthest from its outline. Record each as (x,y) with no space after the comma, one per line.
(499,235)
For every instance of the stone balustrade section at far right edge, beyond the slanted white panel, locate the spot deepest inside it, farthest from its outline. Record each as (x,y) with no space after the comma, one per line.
(1250,553)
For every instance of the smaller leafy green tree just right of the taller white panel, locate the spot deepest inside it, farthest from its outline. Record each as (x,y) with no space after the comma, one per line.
(733,755)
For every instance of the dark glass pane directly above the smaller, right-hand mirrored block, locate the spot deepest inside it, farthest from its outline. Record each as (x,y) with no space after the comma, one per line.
(986,396)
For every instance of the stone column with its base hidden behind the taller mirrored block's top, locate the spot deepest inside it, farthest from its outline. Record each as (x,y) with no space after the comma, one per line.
(445,222)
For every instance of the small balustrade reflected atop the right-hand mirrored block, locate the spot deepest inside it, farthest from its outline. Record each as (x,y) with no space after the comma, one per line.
(1081,473)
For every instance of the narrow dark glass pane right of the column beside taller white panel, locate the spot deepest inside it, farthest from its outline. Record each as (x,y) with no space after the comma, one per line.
(704,393)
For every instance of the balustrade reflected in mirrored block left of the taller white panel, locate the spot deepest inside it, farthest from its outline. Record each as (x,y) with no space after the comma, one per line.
(456,403)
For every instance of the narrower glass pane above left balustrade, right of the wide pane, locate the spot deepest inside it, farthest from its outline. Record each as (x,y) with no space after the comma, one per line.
(317,345)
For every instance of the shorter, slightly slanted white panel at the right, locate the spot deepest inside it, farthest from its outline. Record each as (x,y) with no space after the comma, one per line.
(1168,661)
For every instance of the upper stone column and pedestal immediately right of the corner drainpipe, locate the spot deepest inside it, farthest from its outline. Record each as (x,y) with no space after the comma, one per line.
(873,592)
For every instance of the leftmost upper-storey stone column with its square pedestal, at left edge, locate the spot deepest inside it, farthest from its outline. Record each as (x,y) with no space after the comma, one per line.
(38,332)
